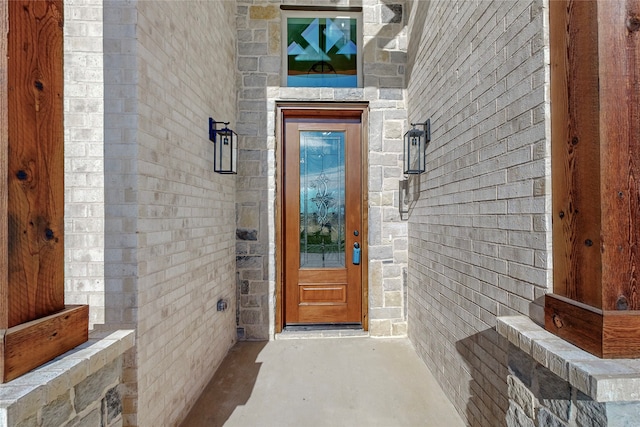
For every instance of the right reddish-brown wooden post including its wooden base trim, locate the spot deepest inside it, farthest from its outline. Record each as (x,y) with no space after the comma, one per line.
(595,85)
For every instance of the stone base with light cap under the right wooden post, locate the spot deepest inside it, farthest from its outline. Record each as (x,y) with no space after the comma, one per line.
(553,383)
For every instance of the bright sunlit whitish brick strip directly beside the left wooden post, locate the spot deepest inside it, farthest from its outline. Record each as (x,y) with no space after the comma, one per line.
(84,159)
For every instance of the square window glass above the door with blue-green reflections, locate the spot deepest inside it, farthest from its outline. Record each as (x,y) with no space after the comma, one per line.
(322,52)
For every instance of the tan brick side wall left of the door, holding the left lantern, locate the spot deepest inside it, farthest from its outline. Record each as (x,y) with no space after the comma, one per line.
(185,211)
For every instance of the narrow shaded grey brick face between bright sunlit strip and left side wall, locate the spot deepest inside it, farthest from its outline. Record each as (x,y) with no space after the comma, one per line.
(120,183)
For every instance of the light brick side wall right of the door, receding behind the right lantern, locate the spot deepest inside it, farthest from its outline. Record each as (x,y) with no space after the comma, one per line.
(479,228)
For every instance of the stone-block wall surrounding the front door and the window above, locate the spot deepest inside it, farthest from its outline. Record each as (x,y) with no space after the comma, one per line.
(259,63)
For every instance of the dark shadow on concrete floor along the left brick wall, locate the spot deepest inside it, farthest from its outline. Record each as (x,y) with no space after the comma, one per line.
(230,387)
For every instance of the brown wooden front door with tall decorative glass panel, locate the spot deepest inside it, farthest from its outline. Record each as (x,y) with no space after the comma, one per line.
(322,219)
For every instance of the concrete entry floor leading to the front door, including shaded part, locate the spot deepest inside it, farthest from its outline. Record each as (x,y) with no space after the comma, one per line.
(357,381)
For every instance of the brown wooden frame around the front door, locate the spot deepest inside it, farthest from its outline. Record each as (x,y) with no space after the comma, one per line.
(313,110)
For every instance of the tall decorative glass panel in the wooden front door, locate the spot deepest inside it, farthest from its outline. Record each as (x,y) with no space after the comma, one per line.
(322,203)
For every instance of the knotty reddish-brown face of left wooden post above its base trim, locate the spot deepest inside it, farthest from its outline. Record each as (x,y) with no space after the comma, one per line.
(36,160)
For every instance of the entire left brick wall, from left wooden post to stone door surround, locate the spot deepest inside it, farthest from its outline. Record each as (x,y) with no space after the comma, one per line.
(151,217)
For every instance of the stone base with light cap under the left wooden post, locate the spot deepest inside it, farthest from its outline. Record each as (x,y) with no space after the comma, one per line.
(81,387)
